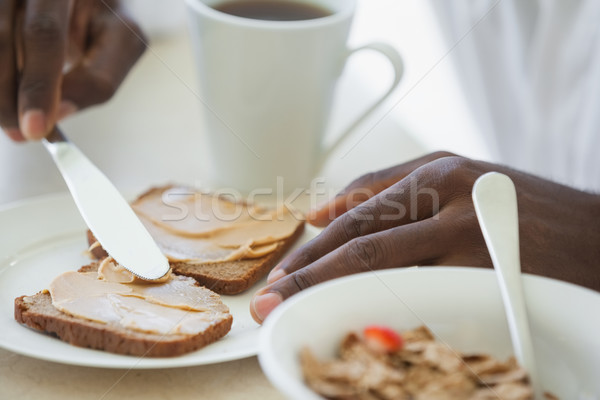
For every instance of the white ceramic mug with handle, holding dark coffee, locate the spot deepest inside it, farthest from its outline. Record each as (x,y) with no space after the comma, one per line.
(267,89)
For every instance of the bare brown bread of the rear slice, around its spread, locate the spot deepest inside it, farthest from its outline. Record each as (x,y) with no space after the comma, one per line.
(228,278)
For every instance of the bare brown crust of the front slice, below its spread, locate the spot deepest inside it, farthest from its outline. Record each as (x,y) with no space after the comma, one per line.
(38,313)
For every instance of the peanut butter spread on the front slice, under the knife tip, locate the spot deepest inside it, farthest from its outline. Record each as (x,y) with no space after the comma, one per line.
(172,305)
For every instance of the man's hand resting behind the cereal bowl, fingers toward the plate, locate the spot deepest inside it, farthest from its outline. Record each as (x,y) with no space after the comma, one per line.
(421,213)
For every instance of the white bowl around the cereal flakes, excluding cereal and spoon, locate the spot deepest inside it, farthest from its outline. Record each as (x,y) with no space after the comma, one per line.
(462,306)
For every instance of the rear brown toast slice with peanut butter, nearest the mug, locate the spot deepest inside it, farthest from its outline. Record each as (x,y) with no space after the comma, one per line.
(224,245)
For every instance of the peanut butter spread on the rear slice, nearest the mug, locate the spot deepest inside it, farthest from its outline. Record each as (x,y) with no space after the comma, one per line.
(203,228)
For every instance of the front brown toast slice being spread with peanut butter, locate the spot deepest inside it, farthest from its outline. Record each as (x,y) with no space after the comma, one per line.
(104,307)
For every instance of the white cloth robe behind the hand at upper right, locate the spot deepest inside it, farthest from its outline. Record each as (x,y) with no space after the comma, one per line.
(531,74)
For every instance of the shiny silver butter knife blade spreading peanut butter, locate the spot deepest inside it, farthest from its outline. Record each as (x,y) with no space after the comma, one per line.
(105,211)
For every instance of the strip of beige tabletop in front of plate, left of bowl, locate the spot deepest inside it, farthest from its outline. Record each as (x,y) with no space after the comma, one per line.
(28,378)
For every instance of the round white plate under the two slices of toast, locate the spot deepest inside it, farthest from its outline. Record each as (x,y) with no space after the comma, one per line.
(43,237)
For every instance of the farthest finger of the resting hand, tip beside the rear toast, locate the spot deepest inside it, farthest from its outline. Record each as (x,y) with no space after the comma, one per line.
(367,186)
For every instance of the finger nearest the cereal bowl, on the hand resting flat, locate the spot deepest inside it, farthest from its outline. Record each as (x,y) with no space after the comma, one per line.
(398,247)
